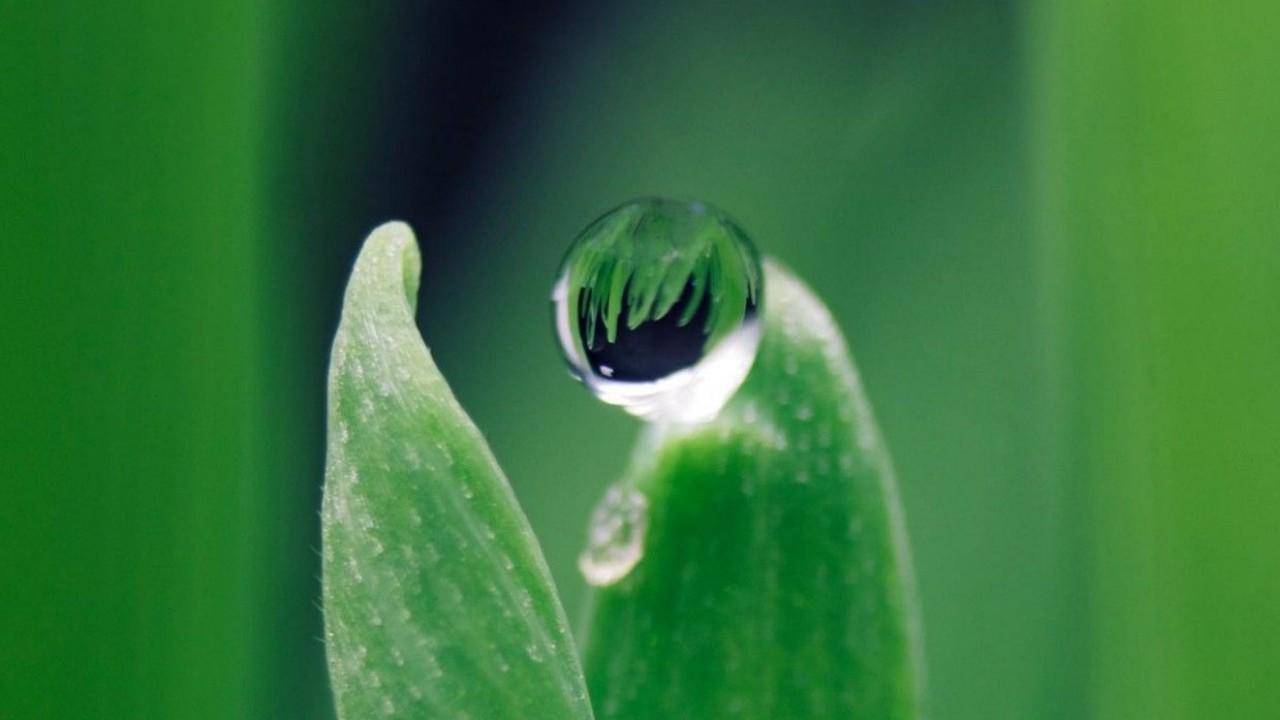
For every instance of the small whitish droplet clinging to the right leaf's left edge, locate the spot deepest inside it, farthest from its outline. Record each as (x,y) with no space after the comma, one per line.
(616,540)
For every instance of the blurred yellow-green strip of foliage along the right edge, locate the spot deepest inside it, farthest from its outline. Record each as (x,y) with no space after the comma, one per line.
(1159,165)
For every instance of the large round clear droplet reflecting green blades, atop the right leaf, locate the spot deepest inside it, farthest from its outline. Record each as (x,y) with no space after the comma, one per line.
(656,309)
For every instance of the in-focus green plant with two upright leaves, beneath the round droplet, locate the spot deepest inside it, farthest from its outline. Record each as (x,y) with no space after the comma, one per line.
(758,559)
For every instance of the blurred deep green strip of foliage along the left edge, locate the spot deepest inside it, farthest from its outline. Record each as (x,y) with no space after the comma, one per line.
(135,514)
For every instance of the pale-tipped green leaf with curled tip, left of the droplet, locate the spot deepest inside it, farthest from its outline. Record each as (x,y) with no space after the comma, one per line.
(437,599)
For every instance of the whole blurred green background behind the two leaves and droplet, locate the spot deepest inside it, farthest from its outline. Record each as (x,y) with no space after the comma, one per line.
(1050,230)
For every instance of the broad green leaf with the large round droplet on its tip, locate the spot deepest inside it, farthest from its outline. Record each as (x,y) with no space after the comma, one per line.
(771,573)
